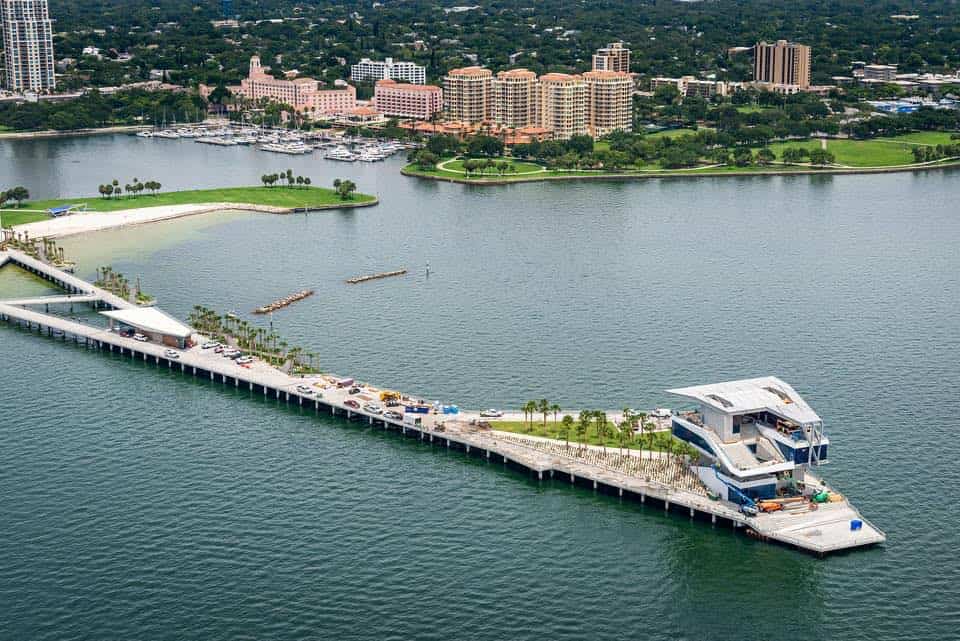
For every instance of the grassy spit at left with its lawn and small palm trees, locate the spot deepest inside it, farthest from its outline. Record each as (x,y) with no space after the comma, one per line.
(273,199)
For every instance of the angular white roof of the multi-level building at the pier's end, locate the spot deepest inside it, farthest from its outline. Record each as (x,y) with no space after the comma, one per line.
(752,395)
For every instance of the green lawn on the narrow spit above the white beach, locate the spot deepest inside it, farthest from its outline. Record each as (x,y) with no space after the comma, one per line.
(271,196)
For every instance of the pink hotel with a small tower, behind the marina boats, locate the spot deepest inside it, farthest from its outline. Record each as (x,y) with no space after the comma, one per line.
(303,94)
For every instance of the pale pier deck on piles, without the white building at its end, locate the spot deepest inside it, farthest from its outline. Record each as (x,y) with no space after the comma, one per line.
(648,479)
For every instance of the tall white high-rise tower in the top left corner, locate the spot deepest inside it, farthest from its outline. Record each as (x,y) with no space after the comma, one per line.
(27,45)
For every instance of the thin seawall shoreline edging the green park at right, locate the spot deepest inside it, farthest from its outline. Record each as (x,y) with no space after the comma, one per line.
(621,176)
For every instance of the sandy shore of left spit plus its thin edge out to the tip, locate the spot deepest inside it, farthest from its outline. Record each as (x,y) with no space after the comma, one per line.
(84,223)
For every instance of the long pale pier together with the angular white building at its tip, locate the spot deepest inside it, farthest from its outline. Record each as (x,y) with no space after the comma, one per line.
(683,487)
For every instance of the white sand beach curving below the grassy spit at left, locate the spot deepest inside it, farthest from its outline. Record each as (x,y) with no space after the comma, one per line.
(82,223)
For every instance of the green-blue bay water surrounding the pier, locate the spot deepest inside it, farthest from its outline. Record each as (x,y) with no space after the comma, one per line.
(138,503)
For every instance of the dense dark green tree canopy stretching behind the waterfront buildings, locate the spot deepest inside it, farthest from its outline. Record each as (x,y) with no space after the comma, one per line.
(322,39)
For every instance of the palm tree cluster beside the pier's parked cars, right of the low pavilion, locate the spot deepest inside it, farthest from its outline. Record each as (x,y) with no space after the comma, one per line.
(264,344)
